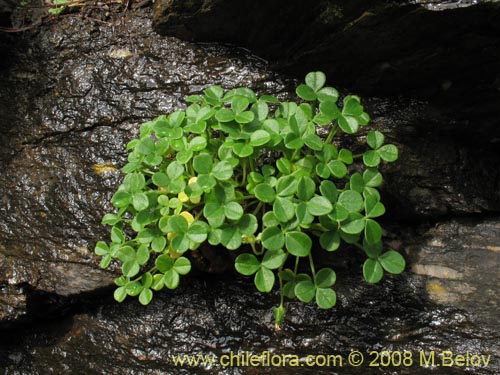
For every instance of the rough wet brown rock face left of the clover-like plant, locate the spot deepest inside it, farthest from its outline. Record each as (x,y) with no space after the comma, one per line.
(63,140)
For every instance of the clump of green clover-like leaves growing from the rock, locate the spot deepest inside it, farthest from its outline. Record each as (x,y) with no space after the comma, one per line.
(250,173)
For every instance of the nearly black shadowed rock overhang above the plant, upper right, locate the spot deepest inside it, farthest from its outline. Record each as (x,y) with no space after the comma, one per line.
(379,47)
